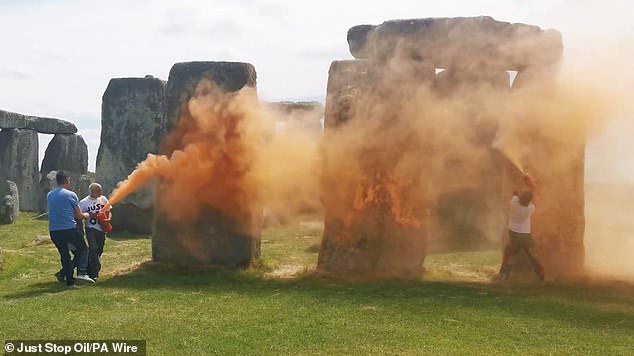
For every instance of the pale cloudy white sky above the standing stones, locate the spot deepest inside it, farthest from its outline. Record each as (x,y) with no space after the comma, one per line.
(58,55)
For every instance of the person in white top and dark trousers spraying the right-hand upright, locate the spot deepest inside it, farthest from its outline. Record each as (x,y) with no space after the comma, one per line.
(521,209)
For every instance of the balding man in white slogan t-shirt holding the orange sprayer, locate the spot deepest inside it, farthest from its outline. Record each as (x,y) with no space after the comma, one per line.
(95,235)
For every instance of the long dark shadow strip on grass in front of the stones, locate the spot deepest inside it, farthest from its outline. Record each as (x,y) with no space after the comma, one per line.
(593,305)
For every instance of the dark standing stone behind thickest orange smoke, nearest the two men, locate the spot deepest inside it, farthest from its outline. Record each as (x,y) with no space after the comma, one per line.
(214,238)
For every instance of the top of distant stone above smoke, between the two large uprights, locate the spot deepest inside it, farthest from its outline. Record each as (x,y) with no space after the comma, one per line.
(301,115)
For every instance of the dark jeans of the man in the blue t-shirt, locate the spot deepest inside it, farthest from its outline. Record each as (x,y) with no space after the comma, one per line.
(62,239)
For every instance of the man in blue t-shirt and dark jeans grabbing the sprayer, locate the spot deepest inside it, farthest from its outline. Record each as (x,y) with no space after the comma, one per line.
(63,209)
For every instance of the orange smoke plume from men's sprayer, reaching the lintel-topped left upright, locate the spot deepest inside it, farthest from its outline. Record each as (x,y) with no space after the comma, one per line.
(225,154)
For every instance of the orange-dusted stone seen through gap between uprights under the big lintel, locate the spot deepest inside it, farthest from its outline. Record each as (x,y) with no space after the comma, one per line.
(468,213)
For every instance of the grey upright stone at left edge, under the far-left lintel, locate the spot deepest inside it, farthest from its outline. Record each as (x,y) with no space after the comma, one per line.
(19,163)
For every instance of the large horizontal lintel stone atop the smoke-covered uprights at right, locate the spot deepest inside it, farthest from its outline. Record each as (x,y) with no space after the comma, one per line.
(458,42)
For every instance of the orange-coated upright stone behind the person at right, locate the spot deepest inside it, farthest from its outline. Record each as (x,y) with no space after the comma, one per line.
(558,224)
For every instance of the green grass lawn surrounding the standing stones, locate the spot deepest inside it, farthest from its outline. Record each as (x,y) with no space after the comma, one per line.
(454,310)
